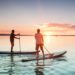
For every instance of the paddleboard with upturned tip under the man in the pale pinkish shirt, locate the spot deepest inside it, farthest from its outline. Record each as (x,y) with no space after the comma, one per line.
(47,56)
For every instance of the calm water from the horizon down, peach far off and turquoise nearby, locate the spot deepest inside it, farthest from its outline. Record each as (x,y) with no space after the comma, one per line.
(61,66)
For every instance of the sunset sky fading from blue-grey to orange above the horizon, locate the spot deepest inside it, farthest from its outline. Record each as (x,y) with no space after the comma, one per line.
(52,16)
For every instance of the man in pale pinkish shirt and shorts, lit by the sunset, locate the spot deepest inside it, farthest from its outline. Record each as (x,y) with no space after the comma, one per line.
(39,44)
